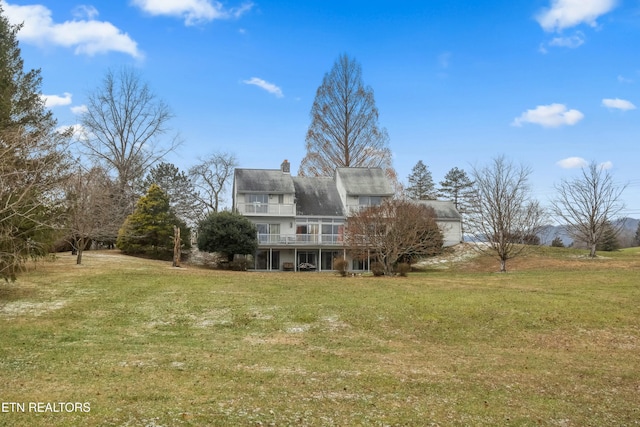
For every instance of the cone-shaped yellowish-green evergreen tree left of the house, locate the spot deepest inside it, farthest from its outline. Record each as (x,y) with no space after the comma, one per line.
(149,229)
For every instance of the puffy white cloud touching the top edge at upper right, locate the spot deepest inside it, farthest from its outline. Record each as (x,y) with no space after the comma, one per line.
(570,13)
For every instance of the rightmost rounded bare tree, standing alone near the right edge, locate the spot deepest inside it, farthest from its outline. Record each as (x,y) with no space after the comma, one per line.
(588,205)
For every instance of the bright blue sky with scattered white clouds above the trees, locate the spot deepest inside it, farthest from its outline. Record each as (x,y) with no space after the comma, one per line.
(553,84)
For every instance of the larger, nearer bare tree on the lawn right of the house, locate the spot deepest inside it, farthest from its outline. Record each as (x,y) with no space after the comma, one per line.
(505,218)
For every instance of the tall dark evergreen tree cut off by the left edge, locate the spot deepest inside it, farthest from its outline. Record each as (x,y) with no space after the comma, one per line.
(33,160)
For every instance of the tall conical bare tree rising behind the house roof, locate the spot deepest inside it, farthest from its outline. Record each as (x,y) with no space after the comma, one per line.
(344,129)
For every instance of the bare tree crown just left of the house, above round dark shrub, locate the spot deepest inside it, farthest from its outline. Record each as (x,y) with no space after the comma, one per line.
(211,179)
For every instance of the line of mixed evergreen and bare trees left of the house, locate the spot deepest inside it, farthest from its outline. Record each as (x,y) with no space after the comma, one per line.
(83,187)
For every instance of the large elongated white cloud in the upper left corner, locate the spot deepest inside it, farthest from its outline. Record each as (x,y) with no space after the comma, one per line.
(86,36)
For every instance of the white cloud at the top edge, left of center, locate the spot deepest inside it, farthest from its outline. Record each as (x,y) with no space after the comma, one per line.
(192,11)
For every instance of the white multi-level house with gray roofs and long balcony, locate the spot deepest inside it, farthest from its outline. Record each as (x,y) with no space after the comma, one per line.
(301,220)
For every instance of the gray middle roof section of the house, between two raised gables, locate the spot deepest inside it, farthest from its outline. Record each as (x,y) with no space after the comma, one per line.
(317,196)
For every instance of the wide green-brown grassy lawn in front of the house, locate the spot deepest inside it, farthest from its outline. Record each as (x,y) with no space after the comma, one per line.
(554,342)
